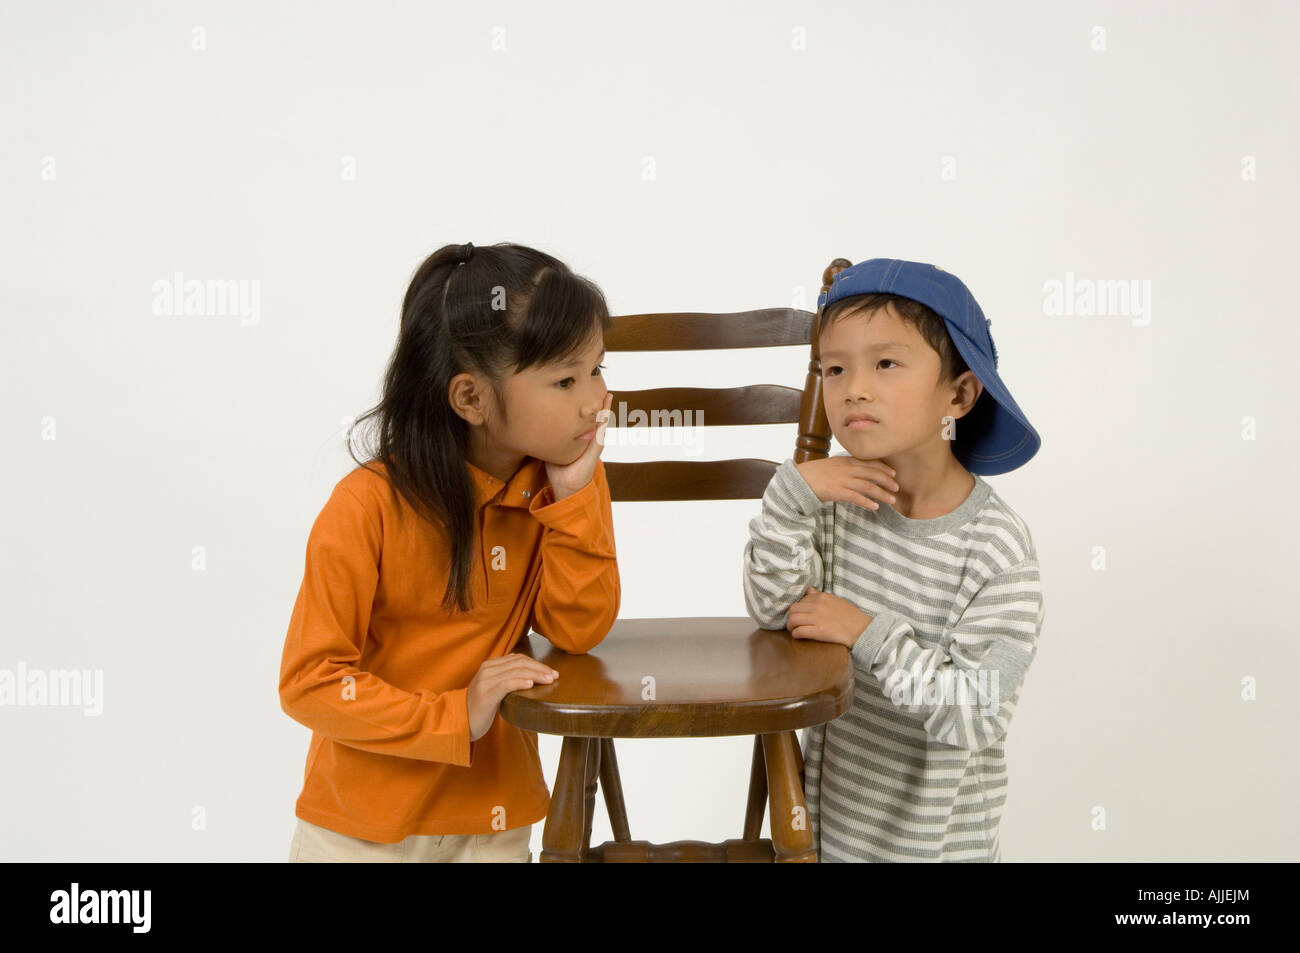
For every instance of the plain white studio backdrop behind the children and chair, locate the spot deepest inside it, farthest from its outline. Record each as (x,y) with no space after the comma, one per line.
(163,471)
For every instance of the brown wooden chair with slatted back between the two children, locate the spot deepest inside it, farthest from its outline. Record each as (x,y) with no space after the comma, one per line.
(727,677)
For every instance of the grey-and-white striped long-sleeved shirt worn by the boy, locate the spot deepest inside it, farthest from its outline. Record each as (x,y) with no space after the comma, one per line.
(917,769)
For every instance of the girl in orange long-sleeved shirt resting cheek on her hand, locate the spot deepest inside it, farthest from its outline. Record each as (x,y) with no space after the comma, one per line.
(483,513)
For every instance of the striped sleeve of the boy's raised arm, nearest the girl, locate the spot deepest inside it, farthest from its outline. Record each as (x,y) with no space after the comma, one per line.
(783,556)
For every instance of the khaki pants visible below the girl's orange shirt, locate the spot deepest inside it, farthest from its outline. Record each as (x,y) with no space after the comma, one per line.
(314,844)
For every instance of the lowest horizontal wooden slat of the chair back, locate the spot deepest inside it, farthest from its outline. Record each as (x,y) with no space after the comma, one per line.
(677,480)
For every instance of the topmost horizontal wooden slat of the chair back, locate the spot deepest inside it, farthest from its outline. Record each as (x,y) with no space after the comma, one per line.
(703,332)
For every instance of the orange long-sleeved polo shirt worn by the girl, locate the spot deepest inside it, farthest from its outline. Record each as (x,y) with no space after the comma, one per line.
(380,672)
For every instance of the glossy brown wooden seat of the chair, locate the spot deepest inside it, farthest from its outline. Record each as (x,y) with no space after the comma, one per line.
(686,678)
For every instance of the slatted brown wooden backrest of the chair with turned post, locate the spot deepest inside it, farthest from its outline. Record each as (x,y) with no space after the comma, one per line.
(757,404)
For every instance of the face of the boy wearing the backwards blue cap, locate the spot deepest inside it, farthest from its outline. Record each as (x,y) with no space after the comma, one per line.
(881,367)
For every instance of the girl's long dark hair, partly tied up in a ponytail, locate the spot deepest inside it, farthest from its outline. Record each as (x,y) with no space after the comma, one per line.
(508,309)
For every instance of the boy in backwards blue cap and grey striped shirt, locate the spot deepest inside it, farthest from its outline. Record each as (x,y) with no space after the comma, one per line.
(903,553)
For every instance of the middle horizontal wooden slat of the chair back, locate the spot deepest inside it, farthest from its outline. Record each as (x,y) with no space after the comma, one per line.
(757,404)
